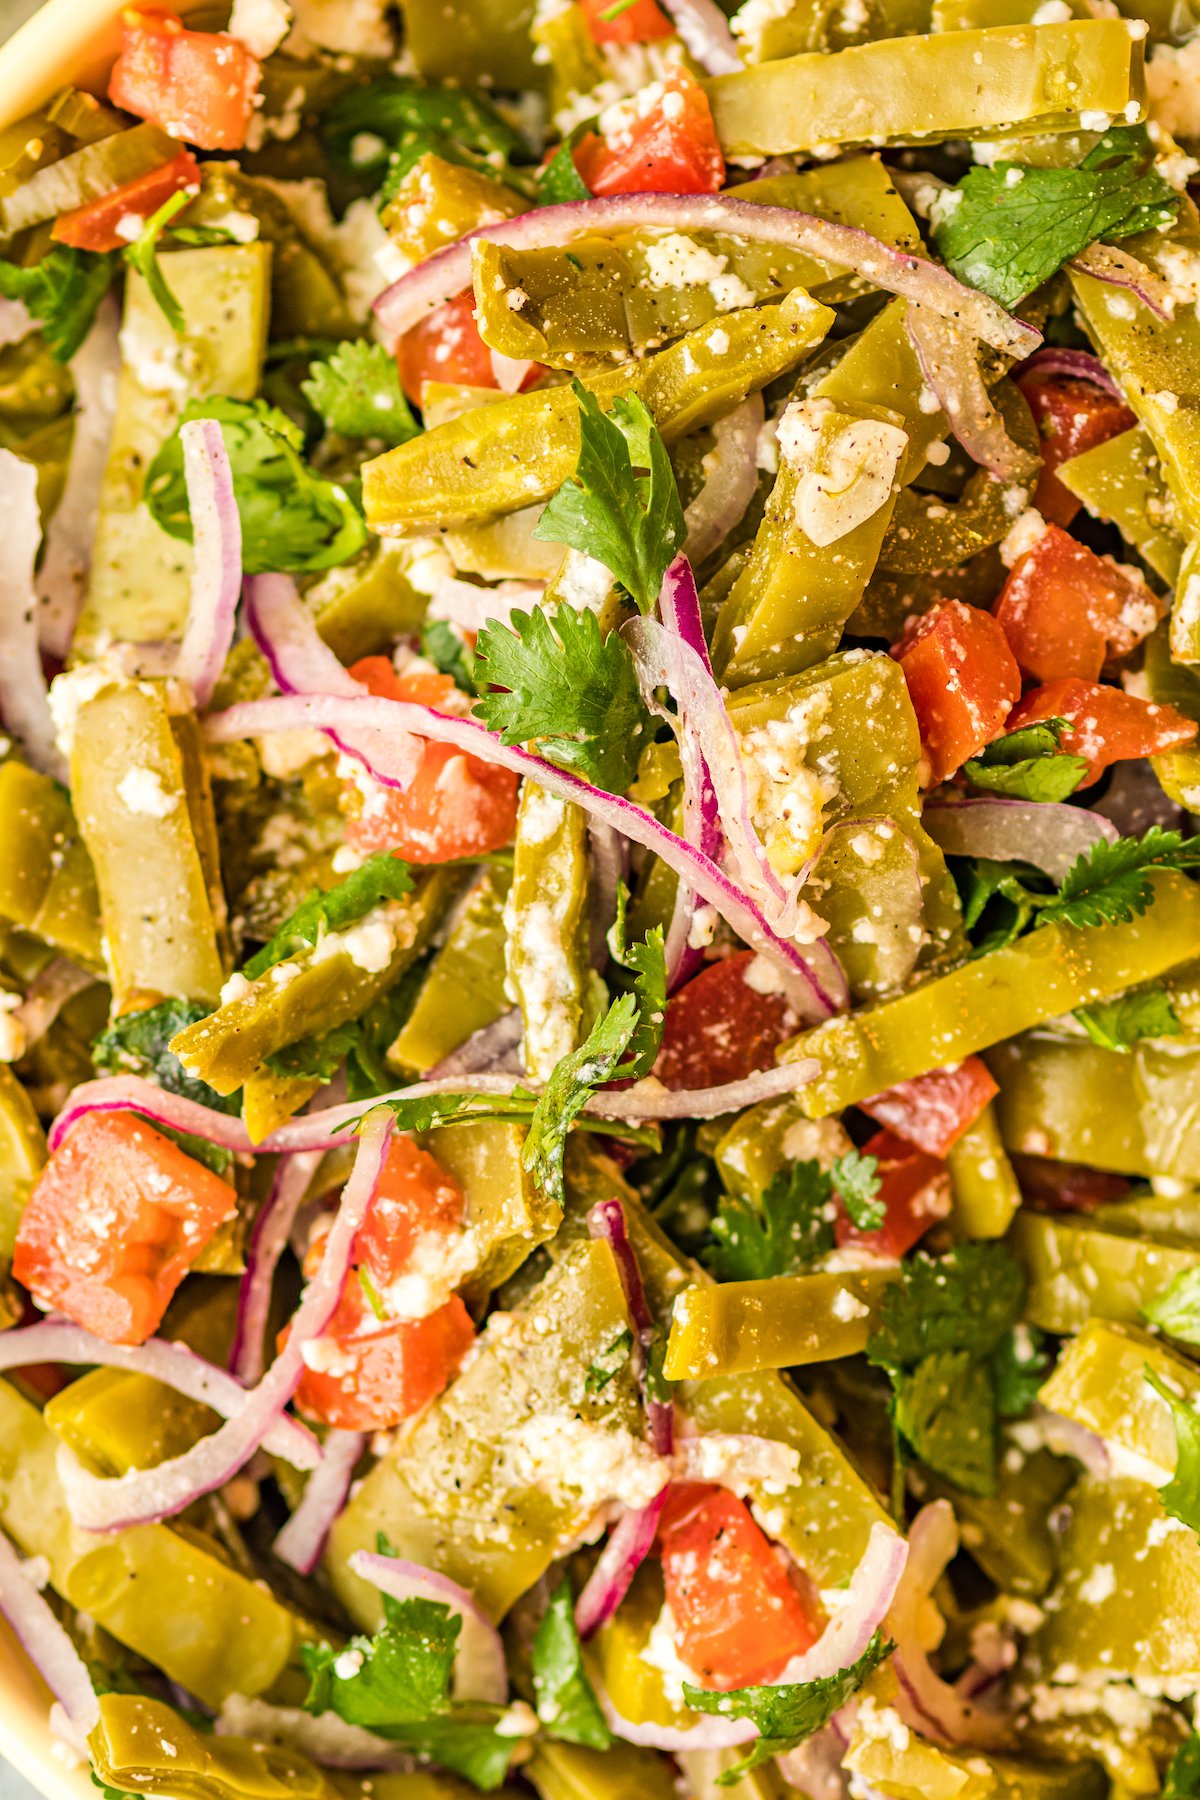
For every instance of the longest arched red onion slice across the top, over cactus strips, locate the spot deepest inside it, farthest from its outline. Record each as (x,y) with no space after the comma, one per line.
(449,273)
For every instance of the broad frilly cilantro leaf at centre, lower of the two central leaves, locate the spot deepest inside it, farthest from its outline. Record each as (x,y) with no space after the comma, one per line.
(569,690)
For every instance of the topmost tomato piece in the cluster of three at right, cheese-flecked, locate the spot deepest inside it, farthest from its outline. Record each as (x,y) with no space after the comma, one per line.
(1068,611)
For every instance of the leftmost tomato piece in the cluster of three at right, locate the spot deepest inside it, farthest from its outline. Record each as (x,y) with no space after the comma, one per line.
(962,681)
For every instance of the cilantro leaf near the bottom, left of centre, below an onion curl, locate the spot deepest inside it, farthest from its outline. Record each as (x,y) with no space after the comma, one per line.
(400,1677)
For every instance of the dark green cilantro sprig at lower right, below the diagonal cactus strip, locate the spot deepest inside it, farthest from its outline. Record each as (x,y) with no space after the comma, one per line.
(947,1345)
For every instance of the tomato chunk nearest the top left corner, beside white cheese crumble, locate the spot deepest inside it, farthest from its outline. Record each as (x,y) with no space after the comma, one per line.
(199,85)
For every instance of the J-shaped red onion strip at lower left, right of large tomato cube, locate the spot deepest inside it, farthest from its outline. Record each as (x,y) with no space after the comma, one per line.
(150,1495)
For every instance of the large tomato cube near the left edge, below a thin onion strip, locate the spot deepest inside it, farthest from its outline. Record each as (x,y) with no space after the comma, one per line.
(114,1223)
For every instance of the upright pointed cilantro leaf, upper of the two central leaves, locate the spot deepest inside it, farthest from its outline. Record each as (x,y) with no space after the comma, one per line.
(631,523)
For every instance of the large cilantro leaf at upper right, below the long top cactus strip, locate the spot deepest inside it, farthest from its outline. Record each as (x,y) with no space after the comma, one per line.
(1007,233)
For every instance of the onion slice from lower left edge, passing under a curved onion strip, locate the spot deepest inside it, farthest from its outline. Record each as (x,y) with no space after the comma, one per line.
(166,1362)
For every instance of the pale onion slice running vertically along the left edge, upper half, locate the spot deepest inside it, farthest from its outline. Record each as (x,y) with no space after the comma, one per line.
(24,706)
